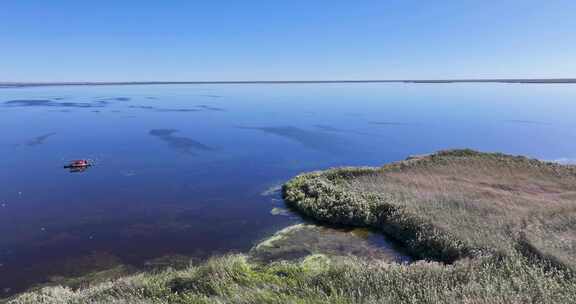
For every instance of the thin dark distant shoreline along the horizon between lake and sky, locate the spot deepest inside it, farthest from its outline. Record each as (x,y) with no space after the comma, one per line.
(524,81)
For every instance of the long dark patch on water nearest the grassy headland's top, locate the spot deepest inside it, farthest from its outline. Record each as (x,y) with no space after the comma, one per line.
(310,139)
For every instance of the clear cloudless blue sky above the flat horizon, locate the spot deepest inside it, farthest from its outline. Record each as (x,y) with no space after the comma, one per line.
(125,40)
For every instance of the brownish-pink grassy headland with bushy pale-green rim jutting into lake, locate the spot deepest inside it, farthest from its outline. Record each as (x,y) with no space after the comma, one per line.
(401,200)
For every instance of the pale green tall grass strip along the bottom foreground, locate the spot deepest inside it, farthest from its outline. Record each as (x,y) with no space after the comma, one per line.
(316,279)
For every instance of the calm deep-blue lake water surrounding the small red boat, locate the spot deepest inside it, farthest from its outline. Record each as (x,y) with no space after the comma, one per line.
(184,169)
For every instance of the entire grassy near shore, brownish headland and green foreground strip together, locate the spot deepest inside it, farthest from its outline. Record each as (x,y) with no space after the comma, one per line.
(486,228)
